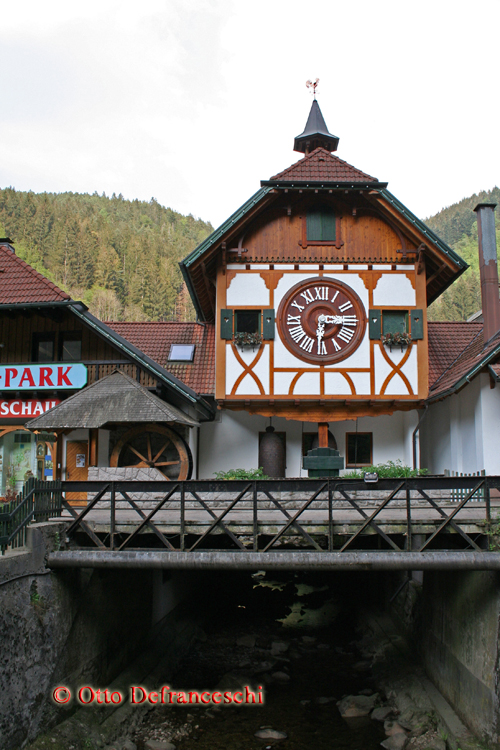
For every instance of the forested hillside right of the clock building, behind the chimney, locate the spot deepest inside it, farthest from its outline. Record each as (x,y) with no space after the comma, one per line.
(457,226)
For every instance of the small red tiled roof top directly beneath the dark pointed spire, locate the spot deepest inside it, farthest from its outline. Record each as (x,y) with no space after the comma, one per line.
(322,166)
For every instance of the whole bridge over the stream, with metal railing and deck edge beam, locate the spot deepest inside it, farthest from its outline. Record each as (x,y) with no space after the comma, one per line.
(406,523)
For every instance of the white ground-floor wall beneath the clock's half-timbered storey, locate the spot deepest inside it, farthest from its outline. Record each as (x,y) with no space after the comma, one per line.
(232,442)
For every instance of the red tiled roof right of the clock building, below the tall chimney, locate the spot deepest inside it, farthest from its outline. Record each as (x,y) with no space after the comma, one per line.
(455,349)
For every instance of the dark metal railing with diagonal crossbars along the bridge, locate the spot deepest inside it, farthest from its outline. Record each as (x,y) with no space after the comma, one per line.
(330,514)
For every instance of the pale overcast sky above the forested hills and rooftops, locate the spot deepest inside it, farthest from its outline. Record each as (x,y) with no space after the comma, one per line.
(193,102)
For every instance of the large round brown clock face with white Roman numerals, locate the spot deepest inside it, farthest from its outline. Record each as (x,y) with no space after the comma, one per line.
(321,320)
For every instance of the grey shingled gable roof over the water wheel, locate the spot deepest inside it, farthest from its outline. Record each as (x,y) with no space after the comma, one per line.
(116,398)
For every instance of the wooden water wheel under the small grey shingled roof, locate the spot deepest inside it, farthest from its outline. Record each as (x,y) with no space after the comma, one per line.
(154,446)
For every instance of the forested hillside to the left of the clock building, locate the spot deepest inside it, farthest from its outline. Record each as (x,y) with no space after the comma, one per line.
(120,257)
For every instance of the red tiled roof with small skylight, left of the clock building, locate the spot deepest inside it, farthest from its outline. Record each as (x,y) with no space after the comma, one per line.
(155,339)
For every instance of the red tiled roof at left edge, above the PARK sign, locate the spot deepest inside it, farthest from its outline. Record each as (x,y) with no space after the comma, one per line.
(20,283)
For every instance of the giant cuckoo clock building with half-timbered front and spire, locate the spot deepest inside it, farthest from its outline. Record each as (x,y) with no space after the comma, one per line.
(318,288)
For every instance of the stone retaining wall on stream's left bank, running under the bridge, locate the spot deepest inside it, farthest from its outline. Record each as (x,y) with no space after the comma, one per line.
(72,628)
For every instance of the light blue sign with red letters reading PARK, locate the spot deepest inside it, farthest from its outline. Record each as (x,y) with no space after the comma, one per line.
(42,377)
